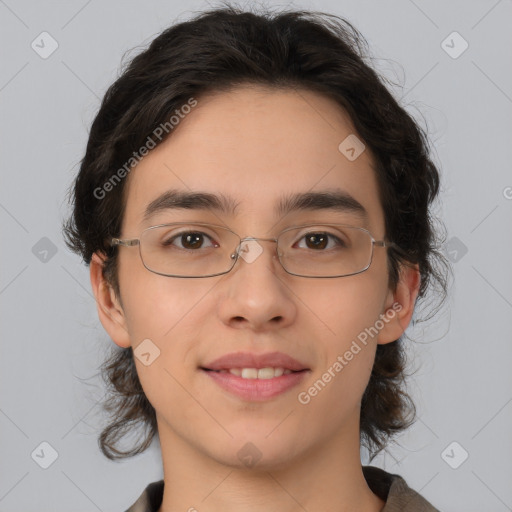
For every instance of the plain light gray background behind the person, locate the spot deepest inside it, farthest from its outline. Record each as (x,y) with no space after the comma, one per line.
(52,341)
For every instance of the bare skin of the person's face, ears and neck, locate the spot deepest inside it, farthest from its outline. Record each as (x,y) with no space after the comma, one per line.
(255,144)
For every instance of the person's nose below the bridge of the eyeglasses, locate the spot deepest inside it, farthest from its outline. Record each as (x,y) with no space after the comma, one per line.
(255,295)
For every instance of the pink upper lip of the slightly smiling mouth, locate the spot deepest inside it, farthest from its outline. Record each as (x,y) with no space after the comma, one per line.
(241,360)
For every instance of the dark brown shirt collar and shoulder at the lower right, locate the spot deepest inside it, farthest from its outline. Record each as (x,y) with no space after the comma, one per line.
(393,489)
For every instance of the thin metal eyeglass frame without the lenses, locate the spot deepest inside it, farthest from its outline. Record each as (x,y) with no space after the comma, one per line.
(130,242)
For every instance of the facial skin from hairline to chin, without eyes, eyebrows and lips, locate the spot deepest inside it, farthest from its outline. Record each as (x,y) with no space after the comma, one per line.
(255,146)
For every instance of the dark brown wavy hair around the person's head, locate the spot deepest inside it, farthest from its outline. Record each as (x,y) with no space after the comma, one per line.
(217,51)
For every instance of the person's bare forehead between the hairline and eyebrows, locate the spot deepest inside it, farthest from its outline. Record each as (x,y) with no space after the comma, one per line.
(256,146)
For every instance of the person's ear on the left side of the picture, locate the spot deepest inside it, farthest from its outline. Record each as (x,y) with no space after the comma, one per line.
(110,311)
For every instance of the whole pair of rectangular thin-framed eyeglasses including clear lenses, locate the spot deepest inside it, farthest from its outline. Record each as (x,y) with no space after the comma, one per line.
(183,249)
